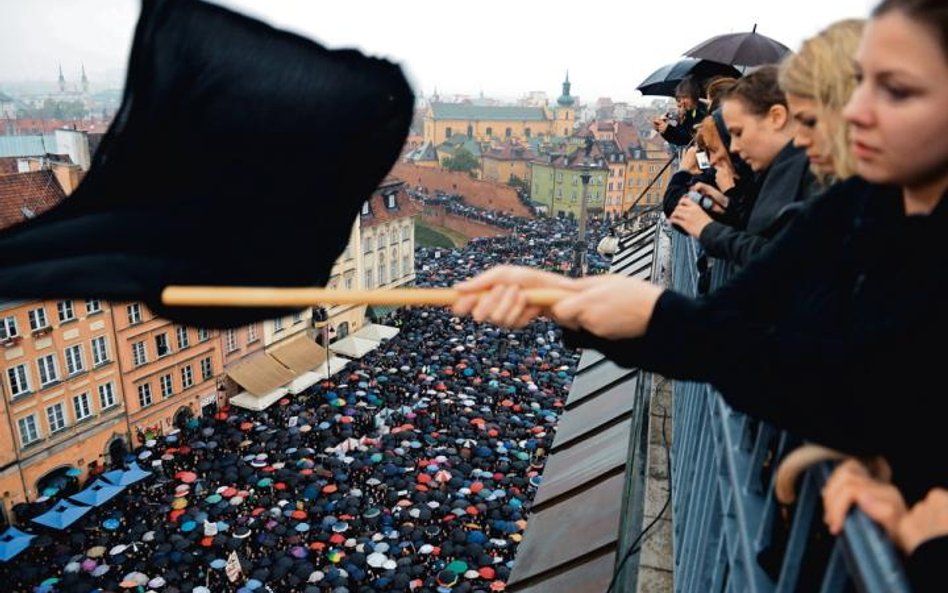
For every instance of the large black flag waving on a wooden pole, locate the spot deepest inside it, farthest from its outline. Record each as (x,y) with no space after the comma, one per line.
(240,155)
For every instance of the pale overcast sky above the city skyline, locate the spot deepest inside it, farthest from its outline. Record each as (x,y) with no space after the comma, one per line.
(503,48)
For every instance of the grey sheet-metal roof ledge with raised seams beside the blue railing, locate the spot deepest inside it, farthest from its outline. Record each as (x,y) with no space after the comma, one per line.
(575,527)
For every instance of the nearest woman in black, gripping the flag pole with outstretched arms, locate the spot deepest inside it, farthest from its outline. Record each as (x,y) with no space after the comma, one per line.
(832,331)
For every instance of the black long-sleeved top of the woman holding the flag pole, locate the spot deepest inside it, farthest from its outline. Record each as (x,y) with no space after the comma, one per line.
(835,332)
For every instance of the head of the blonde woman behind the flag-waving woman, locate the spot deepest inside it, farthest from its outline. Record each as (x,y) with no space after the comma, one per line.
(818,81)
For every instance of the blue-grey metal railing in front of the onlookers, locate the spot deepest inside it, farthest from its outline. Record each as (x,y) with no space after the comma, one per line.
(730,534)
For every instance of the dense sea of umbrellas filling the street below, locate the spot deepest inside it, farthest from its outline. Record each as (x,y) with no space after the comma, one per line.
(411,469)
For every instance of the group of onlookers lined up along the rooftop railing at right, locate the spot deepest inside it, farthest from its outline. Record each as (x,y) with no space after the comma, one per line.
(817,191)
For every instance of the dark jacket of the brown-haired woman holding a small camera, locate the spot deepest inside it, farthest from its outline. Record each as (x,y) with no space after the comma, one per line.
(787,181)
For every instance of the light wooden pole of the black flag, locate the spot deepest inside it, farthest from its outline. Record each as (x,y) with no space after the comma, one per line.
(248,296)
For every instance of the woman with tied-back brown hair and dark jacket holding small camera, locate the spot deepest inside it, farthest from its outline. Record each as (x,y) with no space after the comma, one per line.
(761,132)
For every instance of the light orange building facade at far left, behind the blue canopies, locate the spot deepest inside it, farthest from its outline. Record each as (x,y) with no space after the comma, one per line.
(64,405)
